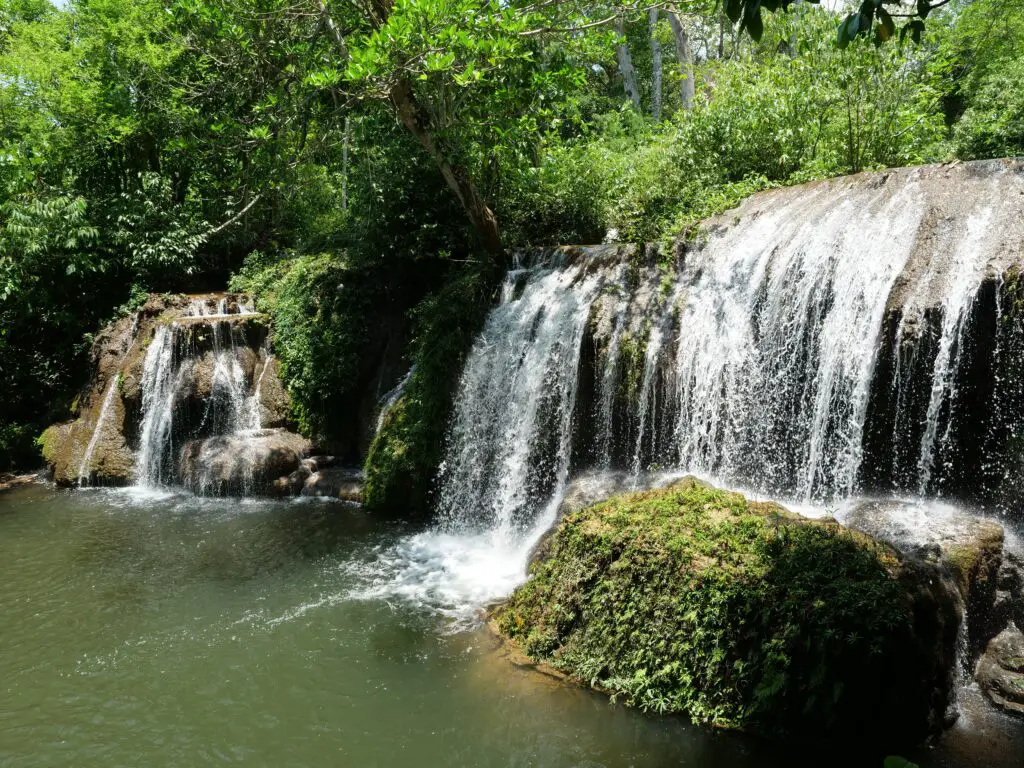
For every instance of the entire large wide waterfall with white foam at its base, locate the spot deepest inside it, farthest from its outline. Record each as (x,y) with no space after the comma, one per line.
(765,366)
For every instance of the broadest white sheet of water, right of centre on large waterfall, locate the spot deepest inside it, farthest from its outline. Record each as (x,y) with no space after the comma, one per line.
(778,342)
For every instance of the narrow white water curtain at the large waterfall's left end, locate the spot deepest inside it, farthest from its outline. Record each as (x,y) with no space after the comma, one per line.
(510,442)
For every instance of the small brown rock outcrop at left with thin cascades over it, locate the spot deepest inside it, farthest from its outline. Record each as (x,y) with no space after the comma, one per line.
(186,392)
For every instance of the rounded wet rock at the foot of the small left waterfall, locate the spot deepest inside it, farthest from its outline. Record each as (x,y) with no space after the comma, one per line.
(242,463)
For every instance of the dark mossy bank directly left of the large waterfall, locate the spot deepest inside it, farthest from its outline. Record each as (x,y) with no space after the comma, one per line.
(405,455)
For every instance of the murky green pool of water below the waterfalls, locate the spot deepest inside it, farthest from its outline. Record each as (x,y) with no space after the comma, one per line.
(168,631)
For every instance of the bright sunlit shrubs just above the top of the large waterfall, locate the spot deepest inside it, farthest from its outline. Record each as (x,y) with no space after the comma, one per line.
(763,119)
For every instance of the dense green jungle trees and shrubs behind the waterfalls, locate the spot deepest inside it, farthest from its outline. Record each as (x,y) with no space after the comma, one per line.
(336,158)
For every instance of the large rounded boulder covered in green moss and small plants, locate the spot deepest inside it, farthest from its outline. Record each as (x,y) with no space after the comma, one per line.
(743,615)
